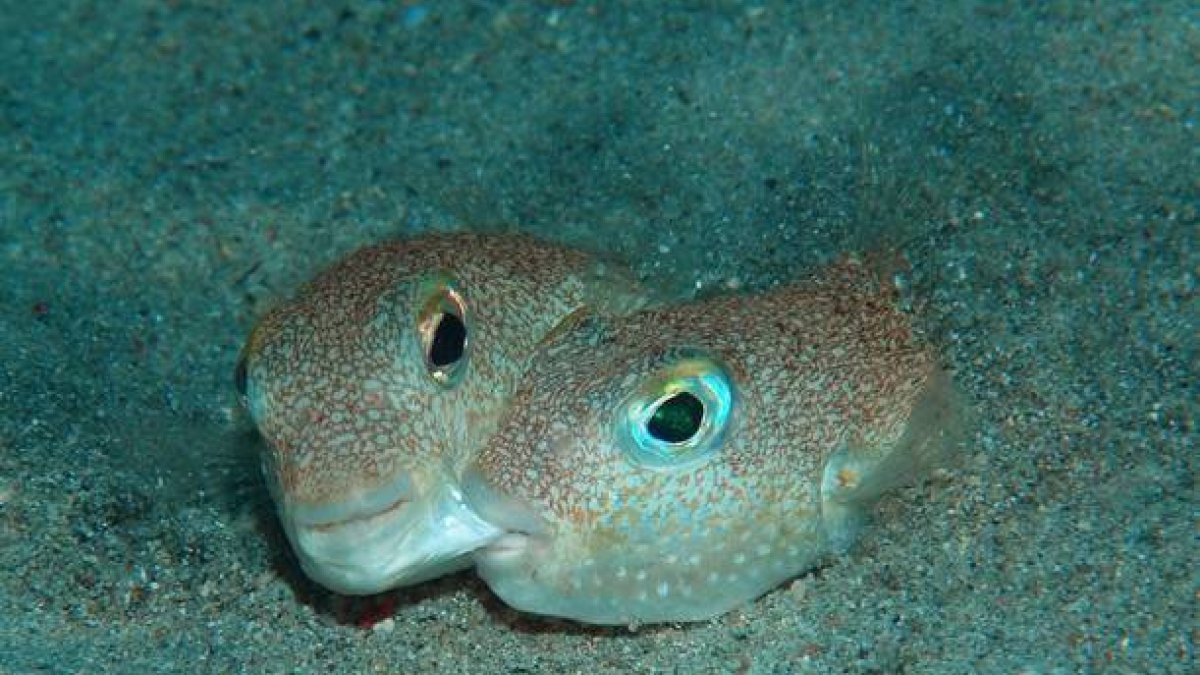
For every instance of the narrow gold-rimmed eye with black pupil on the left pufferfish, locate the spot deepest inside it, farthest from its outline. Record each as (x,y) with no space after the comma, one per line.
(443,330)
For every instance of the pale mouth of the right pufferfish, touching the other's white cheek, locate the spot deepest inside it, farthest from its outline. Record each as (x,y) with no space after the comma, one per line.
(520,524)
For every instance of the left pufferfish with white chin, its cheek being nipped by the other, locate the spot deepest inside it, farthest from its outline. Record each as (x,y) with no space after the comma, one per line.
(377,384)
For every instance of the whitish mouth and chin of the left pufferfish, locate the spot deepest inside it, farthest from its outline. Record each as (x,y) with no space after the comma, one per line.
(389,537)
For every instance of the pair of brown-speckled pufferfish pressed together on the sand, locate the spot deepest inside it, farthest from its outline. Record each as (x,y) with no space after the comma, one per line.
(501,403)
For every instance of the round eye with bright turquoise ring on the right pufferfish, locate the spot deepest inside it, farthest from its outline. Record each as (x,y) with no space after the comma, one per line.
(680,416)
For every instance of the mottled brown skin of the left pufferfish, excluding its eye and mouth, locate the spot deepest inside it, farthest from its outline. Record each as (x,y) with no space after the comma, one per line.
(338,383)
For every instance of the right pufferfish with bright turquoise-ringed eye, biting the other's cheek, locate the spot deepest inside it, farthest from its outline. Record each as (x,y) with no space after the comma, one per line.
(674,464)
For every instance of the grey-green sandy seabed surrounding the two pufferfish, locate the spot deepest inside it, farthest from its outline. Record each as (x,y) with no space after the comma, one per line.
(170,170)
